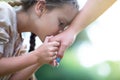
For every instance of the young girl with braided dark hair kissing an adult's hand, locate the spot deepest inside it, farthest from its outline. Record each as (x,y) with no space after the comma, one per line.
(43,18)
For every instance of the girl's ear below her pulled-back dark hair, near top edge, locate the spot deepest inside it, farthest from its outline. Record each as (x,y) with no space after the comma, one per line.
(40,7)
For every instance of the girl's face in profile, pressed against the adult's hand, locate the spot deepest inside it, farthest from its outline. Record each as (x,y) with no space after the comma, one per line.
(54,22)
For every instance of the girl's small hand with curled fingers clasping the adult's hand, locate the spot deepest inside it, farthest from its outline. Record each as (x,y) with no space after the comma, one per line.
(47,51)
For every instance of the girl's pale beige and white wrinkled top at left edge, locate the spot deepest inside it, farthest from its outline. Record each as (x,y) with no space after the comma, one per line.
(10,40)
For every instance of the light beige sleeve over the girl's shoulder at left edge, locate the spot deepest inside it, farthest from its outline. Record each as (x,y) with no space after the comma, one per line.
(7,19)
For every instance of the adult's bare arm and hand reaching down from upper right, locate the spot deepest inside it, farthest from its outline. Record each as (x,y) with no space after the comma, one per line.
(90,12)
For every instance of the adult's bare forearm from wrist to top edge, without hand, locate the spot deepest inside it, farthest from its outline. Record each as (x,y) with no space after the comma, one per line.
(90,12)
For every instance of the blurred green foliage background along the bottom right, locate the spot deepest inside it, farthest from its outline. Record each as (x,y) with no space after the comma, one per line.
(70,69)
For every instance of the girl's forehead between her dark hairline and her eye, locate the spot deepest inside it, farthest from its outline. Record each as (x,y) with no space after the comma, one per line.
(67,12)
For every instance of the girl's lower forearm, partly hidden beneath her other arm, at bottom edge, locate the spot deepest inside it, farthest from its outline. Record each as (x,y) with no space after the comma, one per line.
(26,73)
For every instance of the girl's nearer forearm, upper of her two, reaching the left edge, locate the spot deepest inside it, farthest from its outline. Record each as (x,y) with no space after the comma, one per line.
(14,64)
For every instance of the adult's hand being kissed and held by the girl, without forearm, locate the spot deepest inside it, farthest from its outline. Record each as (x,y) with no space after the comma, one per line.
(66,38)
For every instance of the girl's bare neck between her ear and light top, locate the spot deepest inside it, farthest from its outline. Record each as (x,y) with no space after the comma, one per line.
(26,22)
